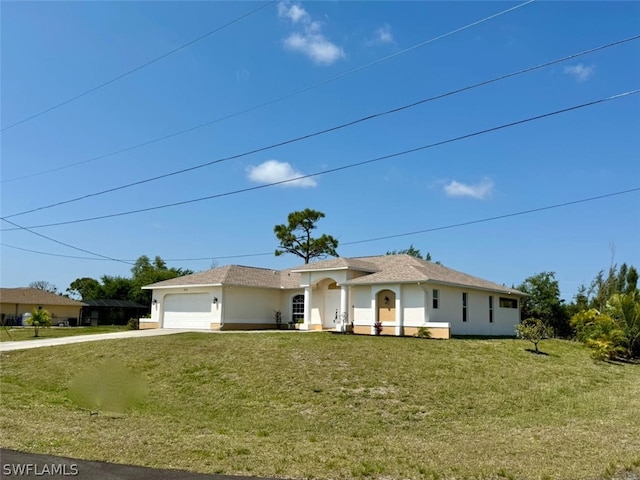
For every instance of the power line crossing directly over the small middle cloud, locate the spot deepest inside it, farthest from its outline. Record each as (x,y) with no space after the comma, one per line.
(344,167)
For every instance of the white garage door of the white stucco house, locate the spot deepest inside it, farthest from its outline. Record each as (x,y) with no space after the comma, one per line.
(188,310)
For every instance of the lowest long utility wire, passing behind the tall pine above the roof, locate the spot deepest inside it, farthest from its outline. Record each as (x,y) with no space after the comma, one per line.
(375,239)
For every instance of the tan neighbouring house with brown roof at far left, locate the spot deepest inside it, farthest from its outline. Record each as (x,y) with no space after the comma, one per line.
(15,302)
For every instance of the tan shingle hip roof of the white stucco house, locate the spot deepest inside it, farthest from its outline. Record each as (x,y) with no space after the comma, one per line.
(381,269)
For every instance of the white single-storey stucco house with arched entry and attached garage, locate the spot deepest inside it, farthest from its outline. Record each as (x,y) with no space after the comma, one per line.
(401,292)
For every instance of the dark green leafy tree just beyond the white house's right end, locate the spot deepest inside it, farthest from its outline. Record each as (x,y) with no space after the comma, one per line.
(543,302)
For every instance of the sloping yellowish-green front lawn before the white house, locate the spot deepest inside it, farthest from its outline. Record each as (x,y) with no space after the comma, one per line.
(332,406)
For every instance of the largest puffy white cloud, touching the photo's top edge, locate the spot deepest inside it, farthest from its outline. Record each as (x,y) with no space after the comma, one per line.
(309,39)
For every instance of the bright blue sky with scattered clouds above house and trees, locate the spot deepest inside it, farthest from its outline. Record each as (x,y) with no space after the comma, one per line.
(53,51)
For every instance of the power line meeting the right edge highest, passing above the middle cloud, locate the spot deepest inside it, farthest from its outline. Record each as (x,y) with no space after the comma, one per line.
(328,130)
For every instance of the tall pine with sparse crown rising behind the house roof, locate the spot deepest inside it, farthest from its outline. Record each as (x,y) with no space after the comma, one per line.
(295,237)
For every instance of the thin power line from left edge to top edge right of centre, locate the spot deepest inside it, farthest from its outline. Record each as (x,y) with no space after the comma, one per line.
(270,102)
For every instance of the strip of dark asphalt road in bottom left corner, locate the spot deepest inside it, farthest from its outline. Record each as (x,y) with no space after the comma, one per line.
(21,465)
